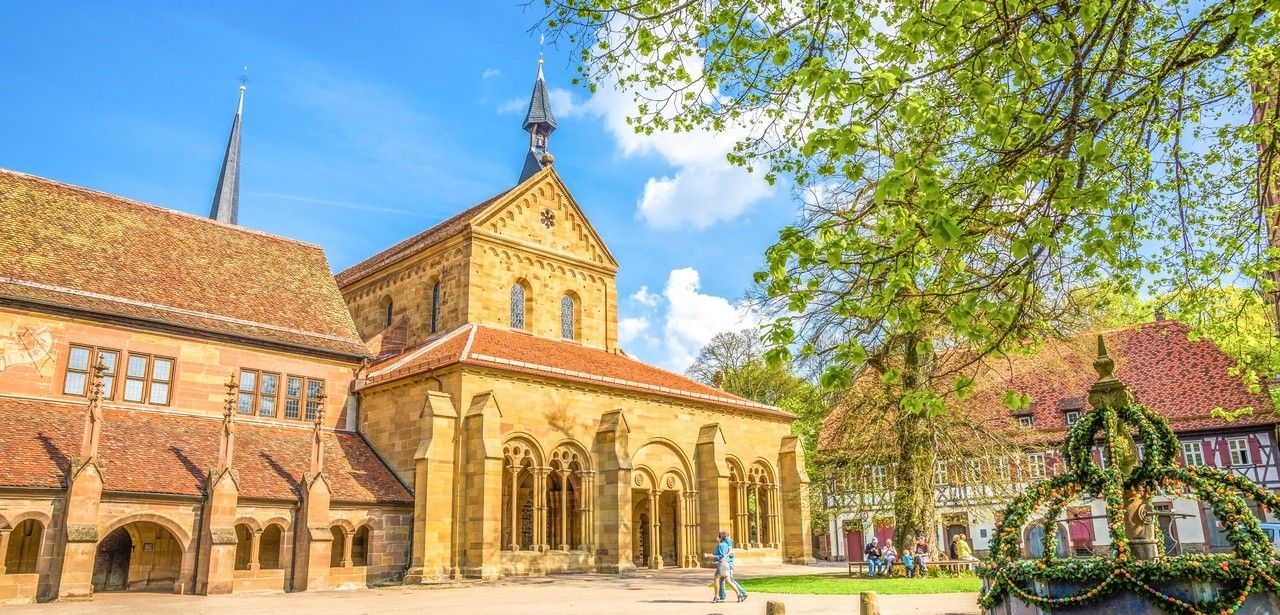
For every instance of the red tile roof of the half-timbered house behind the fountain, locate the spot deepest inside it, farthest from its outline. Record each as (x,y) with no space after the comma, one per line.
(1176,377)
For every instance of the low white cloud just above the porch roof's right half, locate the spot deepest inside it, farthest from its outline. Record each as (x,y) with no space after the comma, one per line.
(694,318)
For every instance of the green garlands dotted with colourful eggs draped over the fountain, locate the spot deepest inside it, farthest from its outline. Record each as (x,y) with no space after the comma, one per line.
(1251,567)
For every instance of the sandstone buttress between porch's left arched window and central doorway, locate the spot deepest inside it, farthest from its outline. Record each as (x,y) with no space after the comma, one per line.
(614,488)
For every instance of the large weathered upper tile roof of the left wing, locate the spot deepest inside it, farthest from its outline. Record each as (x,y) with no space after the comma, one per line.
(80,249)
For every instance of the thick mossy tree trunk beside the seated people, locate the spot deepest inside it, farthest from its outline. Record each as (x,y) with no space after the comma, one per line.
(915,513)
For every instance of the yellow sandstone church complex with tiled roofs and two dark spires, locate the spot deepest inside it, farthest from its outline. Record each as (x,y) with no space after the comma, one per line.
(195,407)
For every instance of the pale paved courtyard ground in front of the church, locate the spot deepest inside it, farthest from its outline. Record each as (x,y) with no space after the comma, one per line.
(651,594)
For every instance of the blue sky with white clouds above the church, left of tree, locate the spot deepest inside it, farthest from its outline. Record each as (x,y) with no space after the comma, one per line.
(365,124)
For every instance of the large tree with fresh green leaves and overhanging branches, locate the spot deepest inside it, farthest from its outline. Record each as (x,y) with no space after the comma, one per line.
(977,161)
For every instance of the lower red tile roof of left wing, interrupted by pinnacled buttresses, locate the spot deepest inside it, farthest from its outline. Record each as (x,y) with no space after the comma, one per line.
(152,453)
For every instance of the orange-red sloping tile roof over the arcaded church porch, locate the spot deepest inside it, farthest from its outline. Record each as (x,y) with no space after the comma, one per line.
(516,352)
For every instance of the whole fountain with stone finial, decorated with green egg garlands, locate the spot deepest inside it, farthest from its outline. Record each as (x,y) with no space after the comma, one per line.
(1137,576)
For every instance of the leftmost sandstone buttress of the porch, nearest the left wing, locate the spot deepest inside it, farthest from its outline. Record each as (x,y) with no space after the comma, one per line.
(435,473)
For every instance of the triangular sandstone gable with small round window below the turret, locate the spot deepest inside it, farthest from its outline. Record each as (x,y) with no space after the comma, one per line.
(542,215)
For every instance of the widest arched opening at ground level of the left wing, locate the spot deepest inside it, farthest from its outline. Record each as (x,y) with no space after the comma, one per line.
(138,557)
